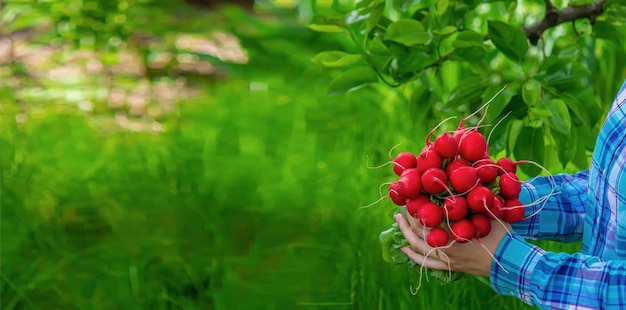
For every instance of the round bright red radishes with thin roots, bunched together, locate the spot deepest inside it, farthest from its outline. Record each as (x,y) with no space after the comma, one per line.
(454,188)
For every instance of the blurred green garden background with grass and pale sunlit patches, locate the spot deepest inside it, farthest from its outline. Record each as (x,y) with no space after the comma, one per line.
(186,155)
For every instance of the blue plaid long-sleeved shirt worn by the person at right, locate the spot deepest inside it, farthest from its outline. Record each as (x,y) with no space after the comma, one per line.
(590,207)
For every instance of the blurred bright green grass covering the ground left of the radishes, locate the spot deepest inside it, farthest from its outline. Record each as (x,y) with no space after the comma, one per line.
(249,200)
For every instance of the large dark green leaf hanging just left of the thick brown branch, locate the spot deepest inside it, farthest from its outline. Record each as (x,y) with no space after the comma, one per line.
(509,40)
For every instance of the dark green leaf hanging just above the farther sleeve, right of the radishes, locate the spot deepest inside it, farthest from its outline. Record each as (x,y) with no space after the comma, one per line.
(530,146)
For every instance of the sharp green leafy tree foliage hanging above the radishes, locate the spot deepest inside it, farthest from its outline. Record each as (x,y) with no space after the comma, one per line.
(446,57)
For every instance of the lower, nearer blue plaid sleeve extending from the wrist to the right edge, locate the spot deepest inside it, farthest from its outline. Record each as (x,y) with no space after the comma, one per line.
(551,280)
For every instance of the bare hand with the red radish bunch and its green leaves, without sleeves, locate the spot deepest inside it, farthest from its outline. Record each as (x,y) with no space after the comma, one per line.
(459,203)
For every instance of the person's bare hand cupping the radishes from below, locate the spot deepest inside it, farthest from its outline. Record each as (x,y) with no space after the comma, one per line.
(470,257)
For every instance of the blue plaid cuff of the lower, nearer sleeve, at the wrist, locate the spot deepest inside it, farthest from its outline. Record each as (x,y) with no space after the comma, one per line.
(511,273)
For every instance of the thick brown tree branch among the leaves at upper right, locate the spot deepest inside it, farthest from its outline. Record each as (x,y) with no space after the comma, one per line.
(554,17)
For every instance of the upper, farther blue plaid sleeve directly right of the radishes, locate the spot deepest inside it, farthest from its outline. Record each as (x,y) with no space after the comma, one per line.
(560,217)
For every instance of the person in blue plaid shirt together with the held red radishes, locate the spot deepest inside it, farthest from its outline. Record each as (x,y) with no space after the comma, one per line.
(453,216)
